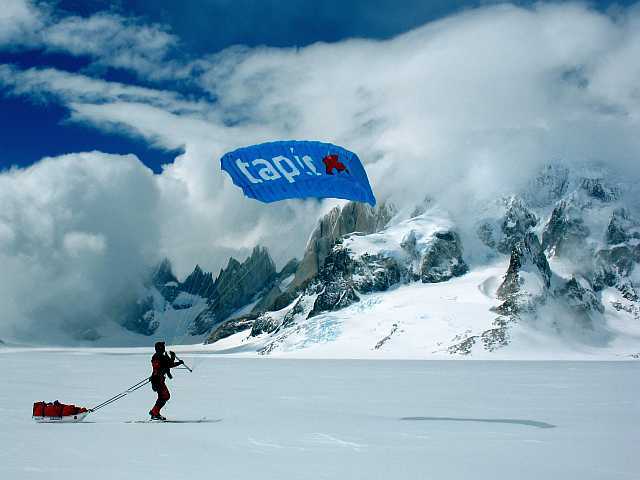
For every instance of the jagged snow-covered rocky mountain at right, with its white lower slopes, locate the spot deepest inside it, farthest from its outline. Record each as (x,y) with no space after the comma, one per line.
(549,271)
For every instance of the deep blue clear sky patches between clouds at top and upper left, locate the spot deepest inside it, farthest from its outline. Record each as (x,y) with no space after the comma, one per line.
(32,129)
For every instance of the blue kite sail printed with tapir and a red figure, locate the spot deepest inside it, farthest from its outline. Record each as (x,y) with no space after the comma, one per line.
(298,169)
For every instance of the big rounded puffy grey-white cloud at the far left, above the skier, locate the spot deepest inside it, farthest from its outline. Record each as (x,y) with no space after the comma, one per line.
(75,234)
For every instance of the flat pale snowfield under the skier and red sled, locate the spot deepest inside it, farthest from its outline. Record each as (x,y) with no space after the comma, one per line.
(312,419)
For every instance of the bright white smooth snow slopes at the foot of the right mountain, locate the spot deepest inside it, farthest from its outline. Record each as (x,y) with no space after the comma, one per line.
(420,321)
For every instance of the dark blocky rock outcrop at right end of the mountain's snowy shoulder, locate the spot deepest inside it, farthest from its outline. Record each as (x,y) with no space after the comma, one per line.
(443,259)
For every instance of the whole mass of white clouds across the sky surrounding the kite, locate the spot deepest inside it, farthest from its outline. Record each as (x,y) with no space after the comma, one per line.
(461,109)
